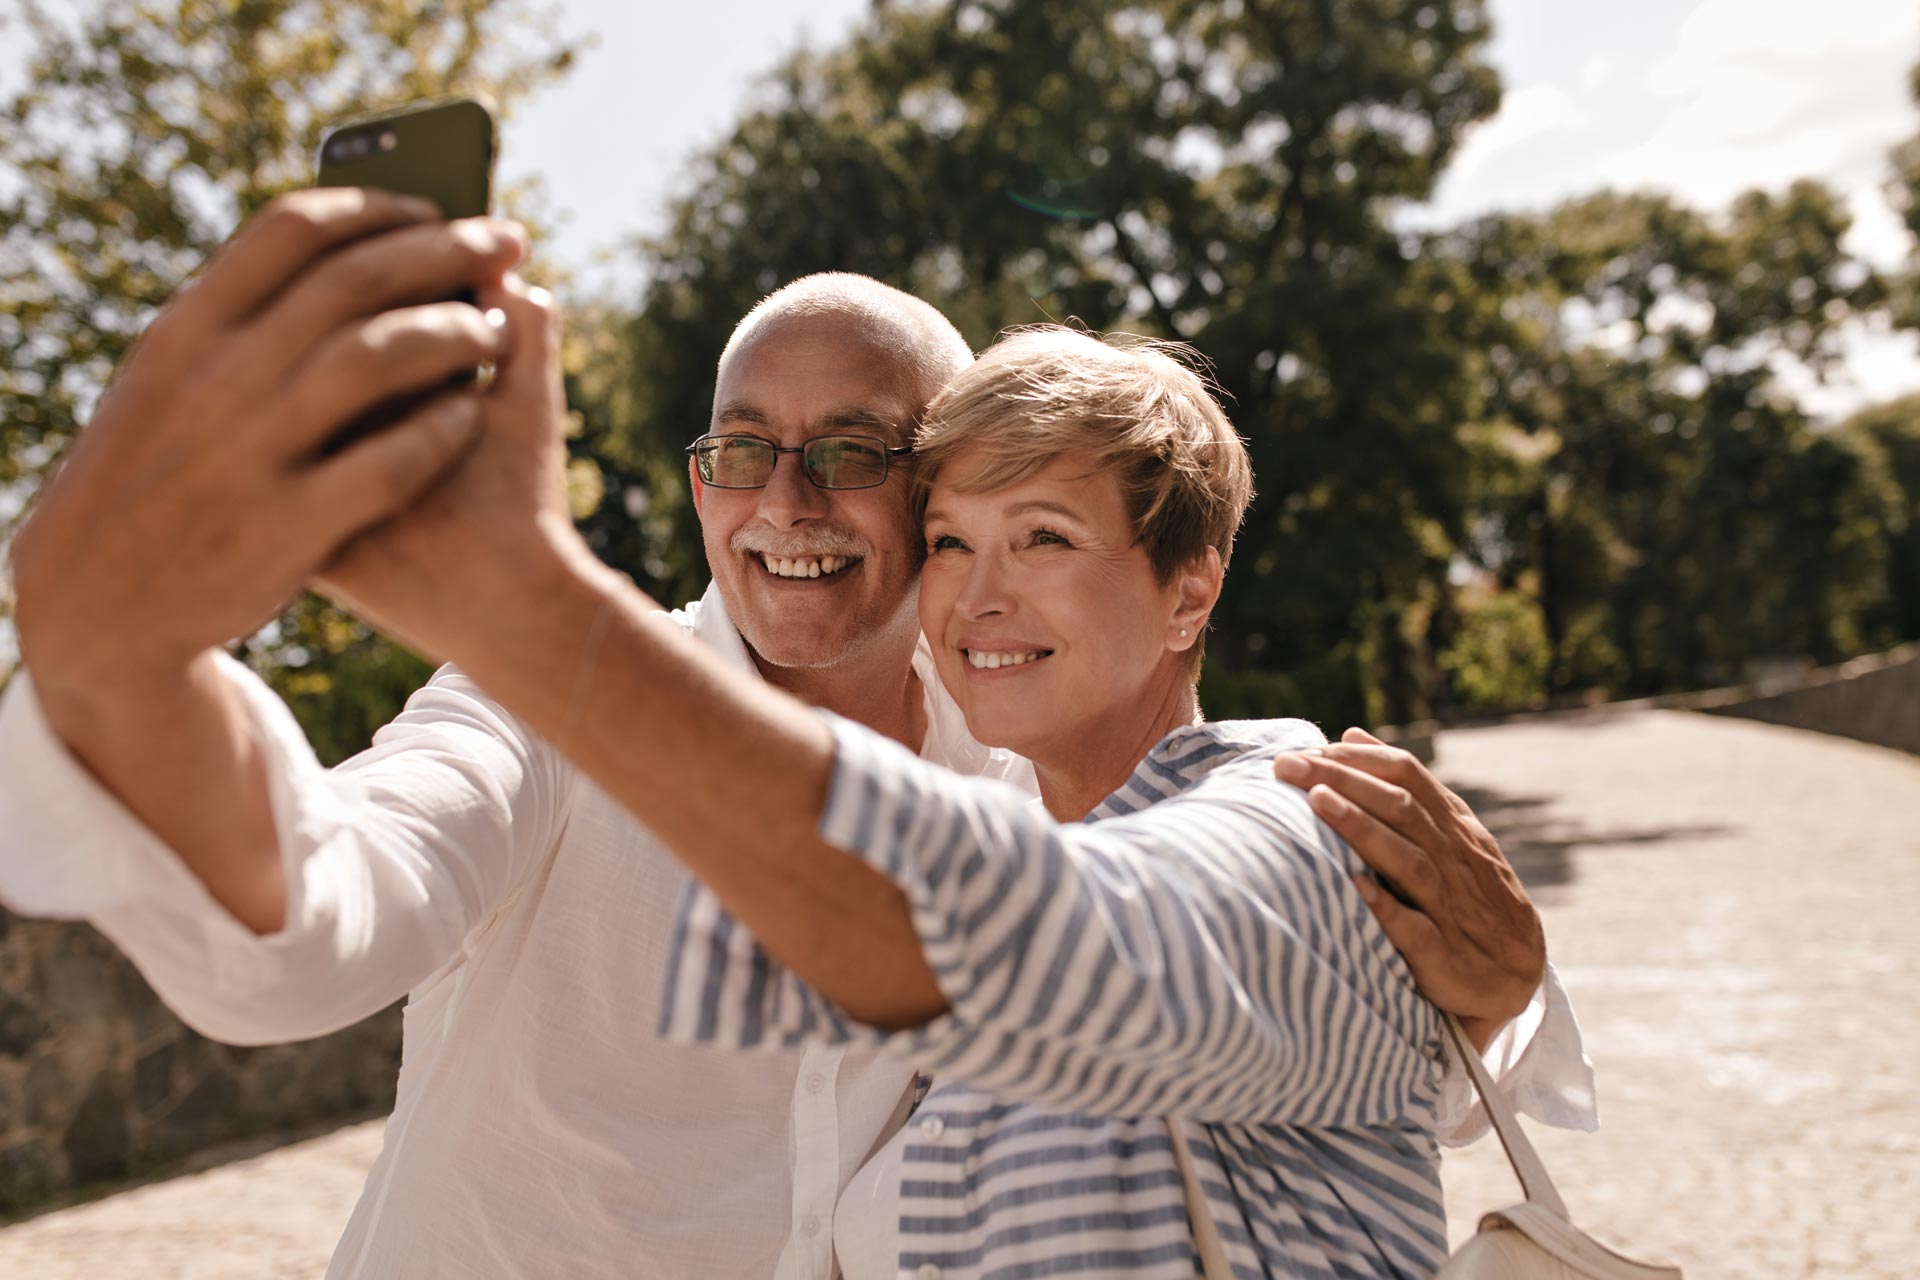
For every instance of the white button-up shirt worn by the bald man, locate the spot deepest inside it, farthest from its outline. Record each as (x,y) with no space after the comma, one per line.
(540,1127)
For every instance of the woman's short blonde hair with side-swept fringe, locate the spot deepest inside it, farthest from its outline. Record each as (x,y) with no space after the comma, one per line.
(1138,406)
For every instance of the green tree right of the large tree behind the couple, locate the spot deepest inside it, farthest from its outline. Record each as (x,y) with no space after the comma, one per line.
(1644,473)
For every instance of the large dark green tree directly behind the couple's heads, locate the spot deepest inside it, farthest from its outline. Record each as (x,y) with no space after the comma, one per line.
(1199,170)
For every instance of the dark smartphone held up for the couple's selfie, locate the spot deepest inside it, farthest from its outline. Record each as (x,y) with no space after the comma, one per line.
(441,151)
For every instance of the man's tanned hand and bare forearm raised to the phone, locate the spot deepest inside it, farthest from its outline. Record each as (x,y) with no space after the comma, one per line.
(201,498)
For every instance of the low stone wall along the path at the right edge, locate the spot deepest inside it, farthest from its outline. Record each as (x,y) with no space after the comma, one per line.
(1873,699)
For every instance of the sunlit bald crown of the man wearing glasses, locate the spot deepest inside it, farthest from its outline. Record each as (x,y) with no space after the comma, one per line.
(903,329)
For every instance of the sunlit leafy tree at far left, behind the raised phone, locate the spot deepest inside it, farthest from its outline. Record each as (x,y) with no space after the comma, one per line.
(141,137)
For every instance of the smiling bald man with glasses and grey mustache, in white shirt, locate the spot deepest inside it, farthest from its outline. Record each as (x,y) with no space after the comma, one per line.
(160,792)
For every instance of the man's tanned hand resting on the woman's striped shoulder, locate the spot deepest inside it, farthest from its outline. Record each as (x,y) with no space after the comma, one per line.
(1452,903)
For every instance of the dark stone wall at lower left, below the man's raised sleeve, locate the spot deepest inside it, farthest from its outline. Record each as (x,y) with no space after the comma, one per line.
(101,1081)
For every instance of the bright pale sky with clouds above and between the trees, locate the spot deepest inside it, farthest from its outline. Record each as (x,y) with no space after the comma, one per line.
(1704,99)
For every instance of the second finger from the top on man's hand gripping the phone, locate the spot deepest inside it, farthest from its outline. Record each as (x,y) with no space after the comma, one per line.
(400,270)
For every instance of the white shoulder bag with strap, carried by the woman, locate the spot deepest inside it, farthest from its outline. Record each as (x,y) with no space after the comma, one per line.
(1531,1241)
